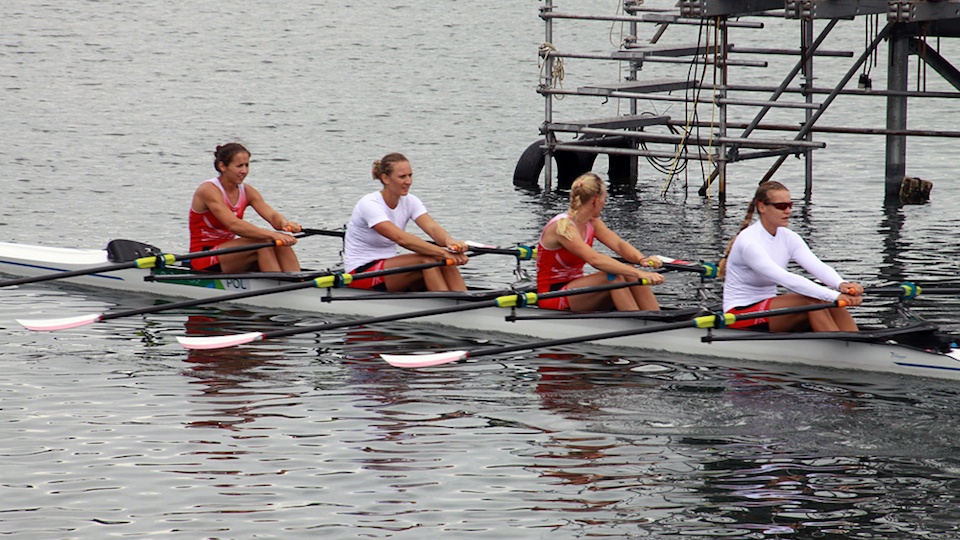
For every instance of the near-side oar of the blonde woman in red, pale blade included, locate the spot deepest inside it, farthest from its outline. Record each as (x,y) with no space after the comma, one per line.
(510,300)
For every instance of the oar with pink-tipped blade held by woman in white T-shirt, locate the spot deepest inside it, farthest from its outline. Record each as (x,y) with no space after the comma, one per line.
(322,282)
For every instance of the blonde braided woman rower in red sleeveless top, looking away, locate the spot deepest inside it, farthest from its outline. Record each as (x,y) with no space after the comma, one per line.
(566,244)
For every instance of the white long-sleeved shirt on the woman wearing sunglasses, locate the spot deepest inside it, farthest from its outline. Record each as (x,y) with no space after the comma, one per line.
(757,265)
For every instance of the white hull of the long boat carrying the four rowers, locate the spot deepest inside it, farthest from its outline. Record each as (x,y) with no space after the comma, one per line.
(25,260)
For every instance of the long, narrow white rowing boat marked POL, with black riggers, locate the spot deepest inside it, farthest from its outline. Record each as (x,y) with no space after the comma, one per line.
(916,349)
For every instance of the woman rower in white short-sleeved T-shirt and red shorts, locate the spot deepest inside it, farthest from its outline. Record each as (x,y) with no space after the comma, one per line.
(378,225)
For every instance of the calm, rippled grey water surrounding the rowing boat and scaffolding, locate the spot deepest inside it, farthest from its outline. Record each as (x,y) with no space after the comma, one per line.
(111,111)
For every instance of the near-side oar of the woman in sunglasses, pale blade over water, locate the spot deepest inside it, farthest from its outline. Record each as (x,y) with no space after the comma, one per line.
(704,321)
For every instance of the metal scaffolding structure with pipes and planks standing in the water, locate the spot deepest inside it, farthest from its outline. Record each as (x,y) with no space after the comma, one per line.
(624,138)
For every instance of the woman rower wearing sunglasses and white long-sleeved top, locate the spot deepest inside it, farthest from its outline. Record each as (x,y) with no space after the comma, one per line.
(756,263)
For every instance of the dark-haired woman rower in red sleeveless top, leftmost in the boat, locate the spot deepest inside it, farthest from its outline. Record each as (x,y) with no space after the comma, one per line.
(216,220)
